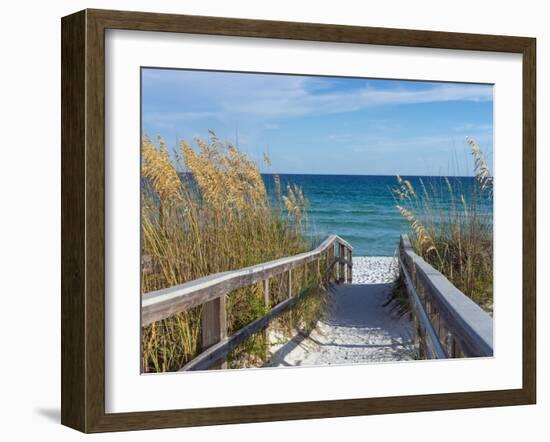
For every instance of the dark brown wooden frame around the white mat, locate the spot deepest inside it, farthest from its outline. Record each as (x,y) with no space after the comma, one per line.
(83,219)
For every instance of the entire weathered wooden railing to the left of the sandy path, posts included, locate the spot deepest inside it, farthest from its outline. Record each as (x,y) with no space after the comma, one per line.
(211,292)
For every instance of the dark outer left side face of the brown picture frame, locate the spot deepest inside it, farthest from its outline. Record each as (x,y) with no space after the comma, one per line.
(73,222)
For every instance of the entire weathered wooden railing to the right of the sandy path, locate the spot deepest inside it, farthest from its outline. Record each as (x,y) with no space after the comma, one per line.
(449,324)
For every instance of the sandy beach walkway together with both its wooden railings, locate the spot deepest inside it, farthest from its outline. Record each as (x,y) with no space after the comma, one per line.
(357,328)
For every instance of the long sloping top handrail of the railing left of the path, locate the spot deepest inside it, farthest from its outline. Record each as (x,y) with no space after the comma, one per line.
(164,303)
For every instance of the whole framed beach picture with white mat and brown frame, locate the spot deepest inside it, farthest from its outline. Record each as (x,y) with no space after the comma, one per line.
(270,220)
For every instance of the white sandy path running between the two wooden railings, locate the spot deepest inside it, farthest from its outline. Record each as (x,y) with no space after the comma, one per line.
(358,328)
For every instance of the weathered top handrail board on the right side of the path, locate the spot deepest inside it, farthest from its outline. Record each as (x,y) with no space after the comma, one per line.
(462,326)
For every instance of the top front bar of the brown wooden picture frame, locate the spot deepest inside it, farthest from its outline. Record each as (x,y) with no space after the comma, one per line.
(193,24)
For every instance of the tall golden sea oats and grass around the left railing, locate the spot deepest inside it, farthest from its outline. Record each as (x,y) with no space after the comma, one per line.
(205,210)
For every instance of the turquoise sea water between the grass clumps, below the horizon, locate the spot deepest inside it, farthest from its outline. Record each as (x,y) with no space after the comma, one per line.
(361,209)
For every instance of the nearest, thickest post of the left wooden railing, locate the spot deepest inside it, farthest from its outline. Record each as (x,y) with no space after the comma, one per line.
(214,326)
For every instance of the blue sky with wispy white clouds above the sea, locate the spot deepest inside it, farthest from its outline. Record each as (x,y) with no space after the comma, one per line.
(325,125)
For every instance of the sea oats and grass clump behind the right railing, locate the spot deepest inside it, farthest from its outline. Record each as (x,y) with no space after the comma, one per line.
(451,225)
